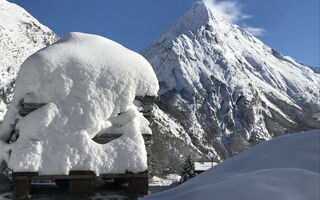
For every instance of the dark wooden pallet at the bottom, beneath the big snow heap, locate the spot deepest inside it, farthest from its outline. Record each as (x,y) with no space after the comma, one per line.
(79,182)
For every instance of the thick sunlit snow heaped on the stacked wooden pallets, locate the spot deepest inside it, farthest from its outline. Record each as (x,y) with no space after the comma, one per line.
(88,85)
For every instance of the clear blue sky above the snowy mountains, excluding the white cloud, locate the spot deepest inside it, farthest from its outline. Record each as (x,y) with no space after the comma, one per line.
(290,26)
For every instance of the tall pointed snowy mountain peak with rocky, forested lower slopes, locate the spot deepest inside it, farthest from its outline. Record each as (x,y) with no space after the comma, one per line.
(222,90)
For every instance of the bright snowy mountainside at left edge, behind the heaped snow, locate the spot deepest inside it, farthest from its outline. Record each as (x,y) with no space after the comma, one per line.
(20,36)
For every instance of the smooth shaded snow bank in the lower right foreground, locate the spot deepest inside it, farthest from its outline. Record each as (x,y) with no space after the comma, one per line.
(287,167)
